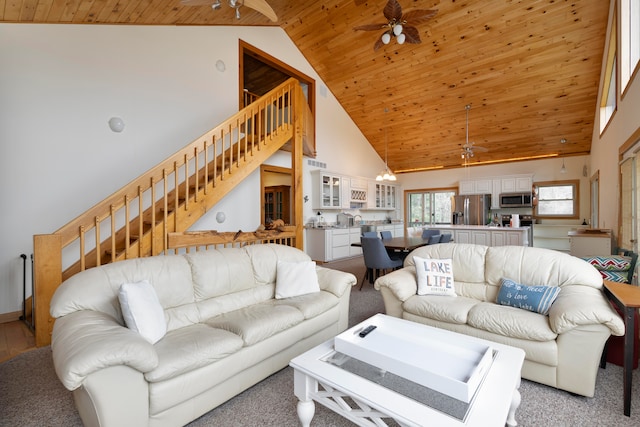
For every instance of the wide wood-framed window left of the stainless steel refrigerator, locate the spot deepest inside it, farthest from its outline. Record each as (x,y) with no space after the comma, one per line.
(429,207)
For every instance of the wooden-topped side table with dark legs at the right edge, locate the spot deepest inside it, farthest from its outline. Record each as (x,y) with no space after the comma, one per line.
(627,298)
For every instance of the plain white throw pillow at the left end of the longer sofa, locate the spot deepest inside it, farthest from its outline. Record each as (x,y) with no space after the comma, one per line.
(142,311)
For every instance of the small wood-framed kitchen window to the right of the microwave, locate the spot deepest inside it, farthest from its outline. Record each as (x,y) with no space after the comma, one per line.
(557,199)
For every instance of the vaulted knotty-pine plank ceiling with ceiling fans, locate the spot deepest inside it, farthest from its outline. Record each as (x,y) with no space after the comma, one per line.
(529,69)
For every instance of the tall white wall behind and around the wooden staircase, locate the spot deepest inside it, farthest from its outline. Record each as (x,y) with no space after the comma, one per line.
(60,84)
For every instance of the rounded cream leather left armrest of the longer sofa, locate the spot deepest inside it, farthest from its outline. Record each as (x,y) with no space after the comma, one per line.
(86,341)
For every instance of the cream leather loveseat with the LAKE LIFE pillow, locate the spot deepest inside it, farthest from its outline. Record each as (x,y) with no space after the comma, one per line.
(563,348)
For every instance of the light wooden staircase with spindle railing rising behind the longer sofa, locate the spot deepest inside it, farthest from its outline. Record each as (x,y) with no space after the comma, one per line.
(137,220)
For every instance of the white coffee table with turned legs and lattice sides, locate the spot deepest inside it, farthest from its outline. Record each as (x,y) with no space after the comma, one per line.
(368,395)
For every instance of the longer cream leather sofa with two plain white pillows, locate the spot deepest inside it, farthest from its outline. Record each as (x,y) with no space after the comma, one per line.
(229,322)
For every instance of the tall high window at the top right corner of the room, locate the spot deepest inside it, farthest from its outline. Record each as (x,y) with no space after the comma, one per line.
(629,40)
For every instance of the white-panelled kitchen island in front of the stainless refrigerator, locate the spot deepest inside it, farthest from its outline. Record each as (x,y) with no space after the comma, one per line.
(486,235)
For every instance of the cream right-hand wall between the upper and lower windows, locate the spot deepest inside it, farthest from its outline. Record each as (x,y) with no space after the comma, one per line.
(604,148)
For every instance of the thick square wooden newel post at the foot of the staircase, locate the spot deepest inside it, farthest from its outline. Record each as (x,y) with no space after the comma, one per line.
(47,276)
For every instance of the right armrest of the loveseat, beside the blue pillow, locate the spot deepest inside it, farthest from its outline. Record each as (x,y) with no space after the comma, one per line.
(583,305)
